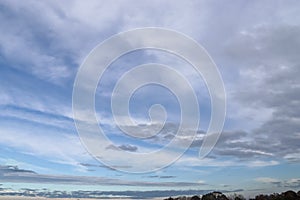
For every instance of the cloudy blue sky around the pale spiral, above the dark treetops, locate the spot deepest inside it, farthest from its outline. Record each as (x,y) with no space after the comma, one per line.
(254,44)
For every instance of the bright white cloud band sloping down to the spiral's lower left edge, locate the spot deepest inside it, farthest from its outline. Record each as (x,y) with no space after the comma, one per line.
(52,145)
